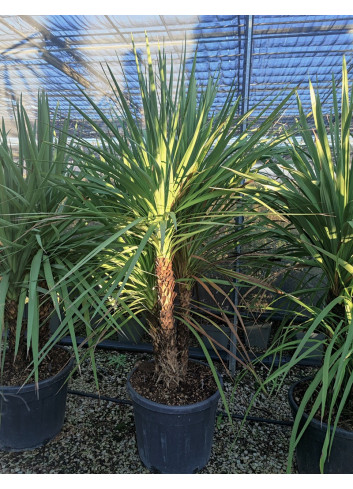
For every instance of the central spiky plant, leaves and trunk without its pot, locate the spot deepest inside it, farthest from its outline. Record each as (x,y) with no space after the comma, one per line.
(159,178)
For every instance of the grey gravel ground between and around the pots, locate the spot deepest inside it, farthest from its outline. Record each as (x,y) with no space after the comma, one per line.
(98,437)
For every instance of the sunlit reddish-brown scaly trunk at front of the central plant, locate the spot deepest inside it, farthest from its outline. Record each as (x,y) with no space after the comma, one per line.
(164,335)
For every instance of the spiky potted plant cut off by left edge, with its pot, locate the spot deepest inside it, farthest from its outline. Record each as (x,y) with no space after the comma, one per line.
(40,237)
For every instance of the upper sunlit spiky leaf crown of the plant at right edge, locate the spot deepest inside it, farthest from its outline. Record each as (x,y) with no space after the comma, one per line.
(312,192)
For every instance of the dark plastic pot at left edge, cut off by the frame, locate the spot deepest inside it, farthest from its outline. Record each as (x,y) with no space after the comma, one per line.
(28,421)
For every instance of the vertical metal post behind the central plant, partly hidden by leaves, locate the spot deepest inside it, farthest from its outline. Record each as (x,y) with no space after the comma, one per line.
(244,109)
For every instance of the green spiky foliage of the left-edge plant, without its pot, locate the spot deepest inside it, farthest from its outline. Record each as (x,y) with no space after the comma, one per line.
(40,235)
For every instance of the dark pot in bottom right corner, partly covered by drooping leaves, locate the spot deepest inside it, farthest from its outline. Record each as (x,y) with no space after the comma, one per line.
(309,448)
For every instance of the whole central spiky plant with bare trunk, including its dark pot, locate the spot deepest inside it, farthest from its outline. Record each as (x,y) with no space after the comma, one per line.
(159,178)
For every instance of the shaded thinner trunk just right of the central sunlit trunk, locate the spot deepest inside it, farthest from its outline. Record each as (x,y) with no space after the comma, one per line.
(183,332)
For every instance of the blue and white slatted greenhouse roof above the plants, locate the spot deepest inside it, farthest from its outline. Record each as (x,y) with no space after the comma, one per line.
(263,53)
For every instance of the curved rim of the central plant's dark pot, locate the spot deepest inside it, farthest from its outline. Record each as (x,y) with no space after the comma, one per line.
(166,408)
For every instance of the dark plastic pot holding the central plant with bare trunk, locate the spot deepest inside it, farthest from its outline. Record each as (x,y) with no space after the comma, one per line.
(174,439)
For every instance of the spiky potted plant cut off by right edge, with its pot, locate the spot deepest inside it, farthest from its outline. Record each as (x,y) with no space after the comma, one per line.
(313,195)
